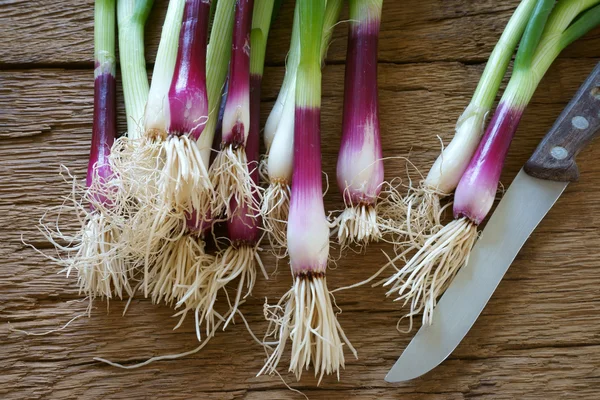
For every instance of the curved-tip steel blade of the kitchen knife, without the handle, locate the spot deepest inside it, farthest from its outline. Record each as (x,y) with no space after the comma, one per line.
(521,209)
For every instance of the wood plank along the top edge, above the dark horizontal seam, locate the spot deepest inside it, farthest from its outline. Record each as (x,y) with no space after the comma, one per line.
(61,33)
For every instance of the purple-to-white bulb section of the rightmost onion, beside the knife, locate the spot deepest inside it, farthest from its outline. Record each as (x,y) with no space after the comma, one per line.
(477,188)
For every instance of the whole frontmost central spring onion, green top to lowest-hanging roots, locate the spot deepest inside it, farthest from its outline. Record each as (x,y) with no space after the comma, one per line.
(305,314)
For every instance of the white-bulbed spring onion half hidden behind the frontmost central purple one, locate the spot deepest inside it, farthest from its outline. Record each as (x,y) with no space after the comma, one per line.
(279,132)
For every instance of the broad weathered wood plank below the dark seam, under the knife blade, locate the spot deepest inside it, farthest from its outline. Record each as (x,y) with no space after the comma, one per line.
(547,302)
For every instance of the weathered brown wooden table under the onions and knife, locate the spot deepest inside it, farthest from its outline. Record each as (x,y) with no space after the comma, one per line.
(537,338)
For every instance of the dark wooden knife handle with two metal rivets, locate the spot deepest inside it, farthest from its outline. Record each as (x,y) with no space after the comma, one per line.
(577,125)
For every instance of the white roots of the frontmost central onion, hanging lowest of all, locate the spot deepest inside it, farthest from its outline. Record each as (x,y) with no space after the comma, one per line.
(305,315)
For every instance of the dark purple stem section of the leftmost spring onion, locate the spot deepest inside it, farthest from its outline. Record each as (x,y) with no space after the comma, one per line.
(104,130)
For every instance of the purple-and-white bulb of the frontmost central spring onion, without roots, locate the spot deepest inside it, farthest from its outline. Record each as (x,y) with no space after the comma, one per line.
(308,230)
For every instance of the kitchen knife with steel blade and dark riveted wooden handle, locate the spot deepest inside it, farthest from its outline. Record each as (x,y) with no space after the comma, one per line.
(533,192)
